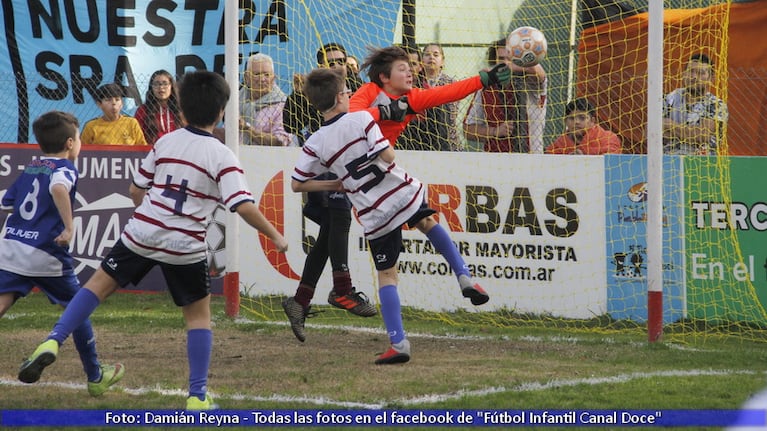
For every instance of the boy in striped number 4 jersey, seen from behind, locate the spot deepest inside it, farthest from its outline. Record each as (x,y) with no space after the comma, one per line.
(176,190)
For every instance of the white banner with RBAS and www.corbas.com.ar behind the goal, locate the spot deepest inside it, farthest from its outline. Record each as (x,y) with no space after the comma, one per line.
(530,227)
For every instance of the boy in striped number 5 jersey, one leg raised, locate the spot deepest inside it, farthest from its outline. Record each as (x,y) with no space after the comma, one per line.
(352,146)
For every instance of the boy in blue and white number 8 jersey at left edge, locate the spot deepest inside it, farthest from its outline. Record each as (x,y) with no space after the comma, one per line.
(34,248)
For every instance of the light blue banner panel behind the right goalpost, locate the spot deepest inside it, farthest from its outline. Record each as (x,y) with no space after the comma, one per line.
(626,224)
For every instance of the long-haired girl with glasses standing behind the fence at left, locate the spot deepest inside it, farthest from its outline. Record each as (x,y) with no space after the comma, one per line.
(160,112)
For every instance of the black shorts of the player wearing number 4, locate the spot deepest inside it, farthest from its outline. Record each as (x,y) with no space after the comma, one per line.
(186,283)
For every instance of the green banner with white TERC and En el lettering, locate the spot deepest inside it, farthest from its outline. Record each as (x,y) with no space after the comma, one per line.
(726,248)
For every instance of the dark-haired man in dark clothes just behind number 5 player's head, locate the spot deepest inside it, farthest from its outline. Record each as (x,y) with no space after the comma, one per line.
(299,117)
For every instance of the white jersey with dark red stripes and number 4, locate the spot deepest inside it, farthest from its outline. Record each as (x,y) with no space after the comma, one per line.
(187,173)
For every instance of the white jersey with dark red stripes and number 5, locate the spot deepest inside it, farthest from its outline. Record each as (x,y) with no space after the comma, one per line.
(383,194)
